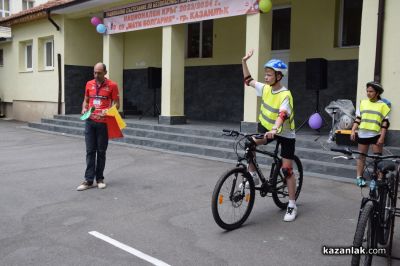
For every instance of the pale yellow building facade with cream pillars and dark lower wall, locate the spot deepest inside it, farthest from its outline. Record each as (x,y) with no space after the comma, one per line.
(192,70)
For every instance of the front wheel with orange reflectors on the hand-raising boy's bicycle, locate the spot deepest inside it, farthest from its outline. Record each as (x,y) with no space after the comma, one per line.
(233,198)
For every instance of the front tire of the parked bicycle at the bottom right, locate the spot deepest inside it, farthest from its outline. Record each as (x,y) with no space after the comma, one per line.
(364,226)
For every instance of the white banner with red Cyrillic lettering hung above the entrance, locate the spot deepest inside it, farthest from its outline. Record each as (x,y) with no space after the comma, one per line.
(156,13)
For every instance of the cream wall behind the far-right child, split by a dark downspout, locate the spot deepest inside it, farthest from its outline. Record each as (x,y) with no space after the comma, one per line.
(390,57)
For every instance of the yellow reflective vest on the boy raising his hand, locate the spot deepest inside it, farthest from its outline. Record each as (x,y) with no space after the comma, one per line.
(270,104)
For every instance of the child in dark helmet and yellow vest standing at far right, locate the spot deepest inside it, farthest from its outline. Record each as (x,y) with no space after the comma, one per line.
(372,122)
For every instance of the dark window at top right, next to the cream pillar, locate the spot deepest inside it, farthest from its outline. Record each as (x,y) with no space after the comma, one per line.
(350,23)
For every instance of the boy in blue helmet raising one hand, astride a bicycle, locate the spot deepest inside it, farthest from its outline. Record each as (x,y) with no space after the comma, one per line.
(276,121)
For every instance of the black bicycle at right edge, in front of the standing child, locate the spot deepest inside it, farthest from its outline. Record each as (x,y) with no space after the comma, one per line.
(375,226)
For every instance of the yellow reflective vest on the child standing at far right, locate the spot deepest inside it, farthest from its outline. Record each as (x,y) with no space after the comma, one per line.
(372,114)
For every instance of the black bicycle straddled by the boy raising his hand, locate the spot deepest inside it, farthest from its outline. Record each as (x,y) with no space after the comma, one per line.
(234,194)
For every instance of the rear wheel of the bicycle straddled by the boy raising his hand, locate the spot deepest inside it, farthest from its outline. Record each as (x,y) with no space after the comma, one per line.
(280,194)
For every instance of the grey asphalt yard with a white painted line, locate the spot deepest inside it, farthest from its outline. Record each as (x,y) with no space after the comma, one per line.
(156,209)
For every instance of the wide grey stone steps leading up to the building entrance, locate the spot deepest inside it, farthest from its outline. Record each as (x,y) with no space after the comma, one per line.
(207,143)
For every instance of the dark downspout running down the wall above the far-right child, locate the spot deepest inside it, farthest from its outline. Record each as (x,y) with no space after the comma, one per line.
(379,42)
